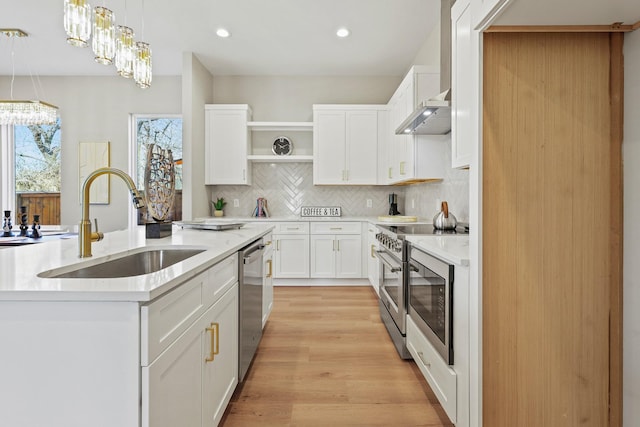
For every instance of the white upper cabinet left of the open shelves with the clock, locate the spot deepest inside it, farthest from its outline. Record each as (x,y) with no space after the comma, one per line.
(227,141)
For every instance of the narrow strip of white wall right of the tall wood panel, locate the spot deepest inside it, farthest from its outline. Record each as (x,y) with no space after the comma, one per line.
(631,159)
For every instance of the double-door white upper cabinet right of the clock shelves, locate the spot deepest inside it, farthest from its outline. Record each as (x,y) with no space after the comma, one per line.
(345,144)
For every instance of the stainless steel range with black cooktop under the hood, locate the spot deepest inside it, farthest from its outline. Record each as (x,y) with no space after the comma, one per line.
(396,271)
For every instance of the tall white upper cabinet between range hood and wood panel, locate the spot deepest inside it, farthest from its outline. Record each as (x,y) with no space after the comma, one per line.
(464,85)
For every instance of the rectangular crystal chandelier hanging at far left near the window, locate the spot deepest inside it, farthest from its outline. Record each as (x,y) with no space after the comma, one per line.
(13,112)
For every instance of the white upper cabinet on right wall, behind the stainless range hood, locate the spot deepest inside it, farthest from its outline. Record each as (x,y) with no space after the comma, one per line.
(414,157)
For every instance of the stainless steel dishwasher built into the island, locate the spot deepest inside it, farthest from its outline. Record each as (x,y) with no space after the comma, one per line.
(250,310)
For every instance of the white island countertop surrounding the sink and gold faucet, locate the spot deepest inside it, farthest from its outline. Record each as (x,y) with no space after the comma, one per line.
(19,266)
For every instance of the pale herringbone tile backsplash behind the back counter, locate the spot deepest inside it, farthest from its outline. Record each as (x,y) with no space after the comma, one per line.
(289,186)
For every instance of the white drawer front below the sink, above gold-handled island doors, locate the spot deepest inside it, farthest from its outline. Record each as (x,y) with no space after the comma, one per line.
(165,319)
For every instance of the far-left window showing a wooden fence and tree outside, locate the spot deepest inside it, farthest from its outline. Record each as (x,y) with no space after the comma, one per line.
(31,171)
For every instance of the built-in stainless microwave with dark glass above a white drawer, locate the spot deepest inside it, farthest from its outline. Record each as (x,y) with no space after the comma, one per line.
(431,300)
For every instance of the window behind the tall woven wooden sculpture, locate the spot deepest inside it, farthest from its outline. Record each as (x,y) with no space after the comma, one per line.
(165,131)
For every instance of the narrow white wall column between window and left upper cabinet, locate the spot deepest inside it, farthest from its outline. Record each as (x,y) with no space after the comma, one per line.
(197,91)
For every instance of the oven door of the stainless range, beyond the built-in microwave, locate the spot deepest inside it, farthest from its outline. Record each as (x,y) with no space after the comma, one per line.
(392,288)
